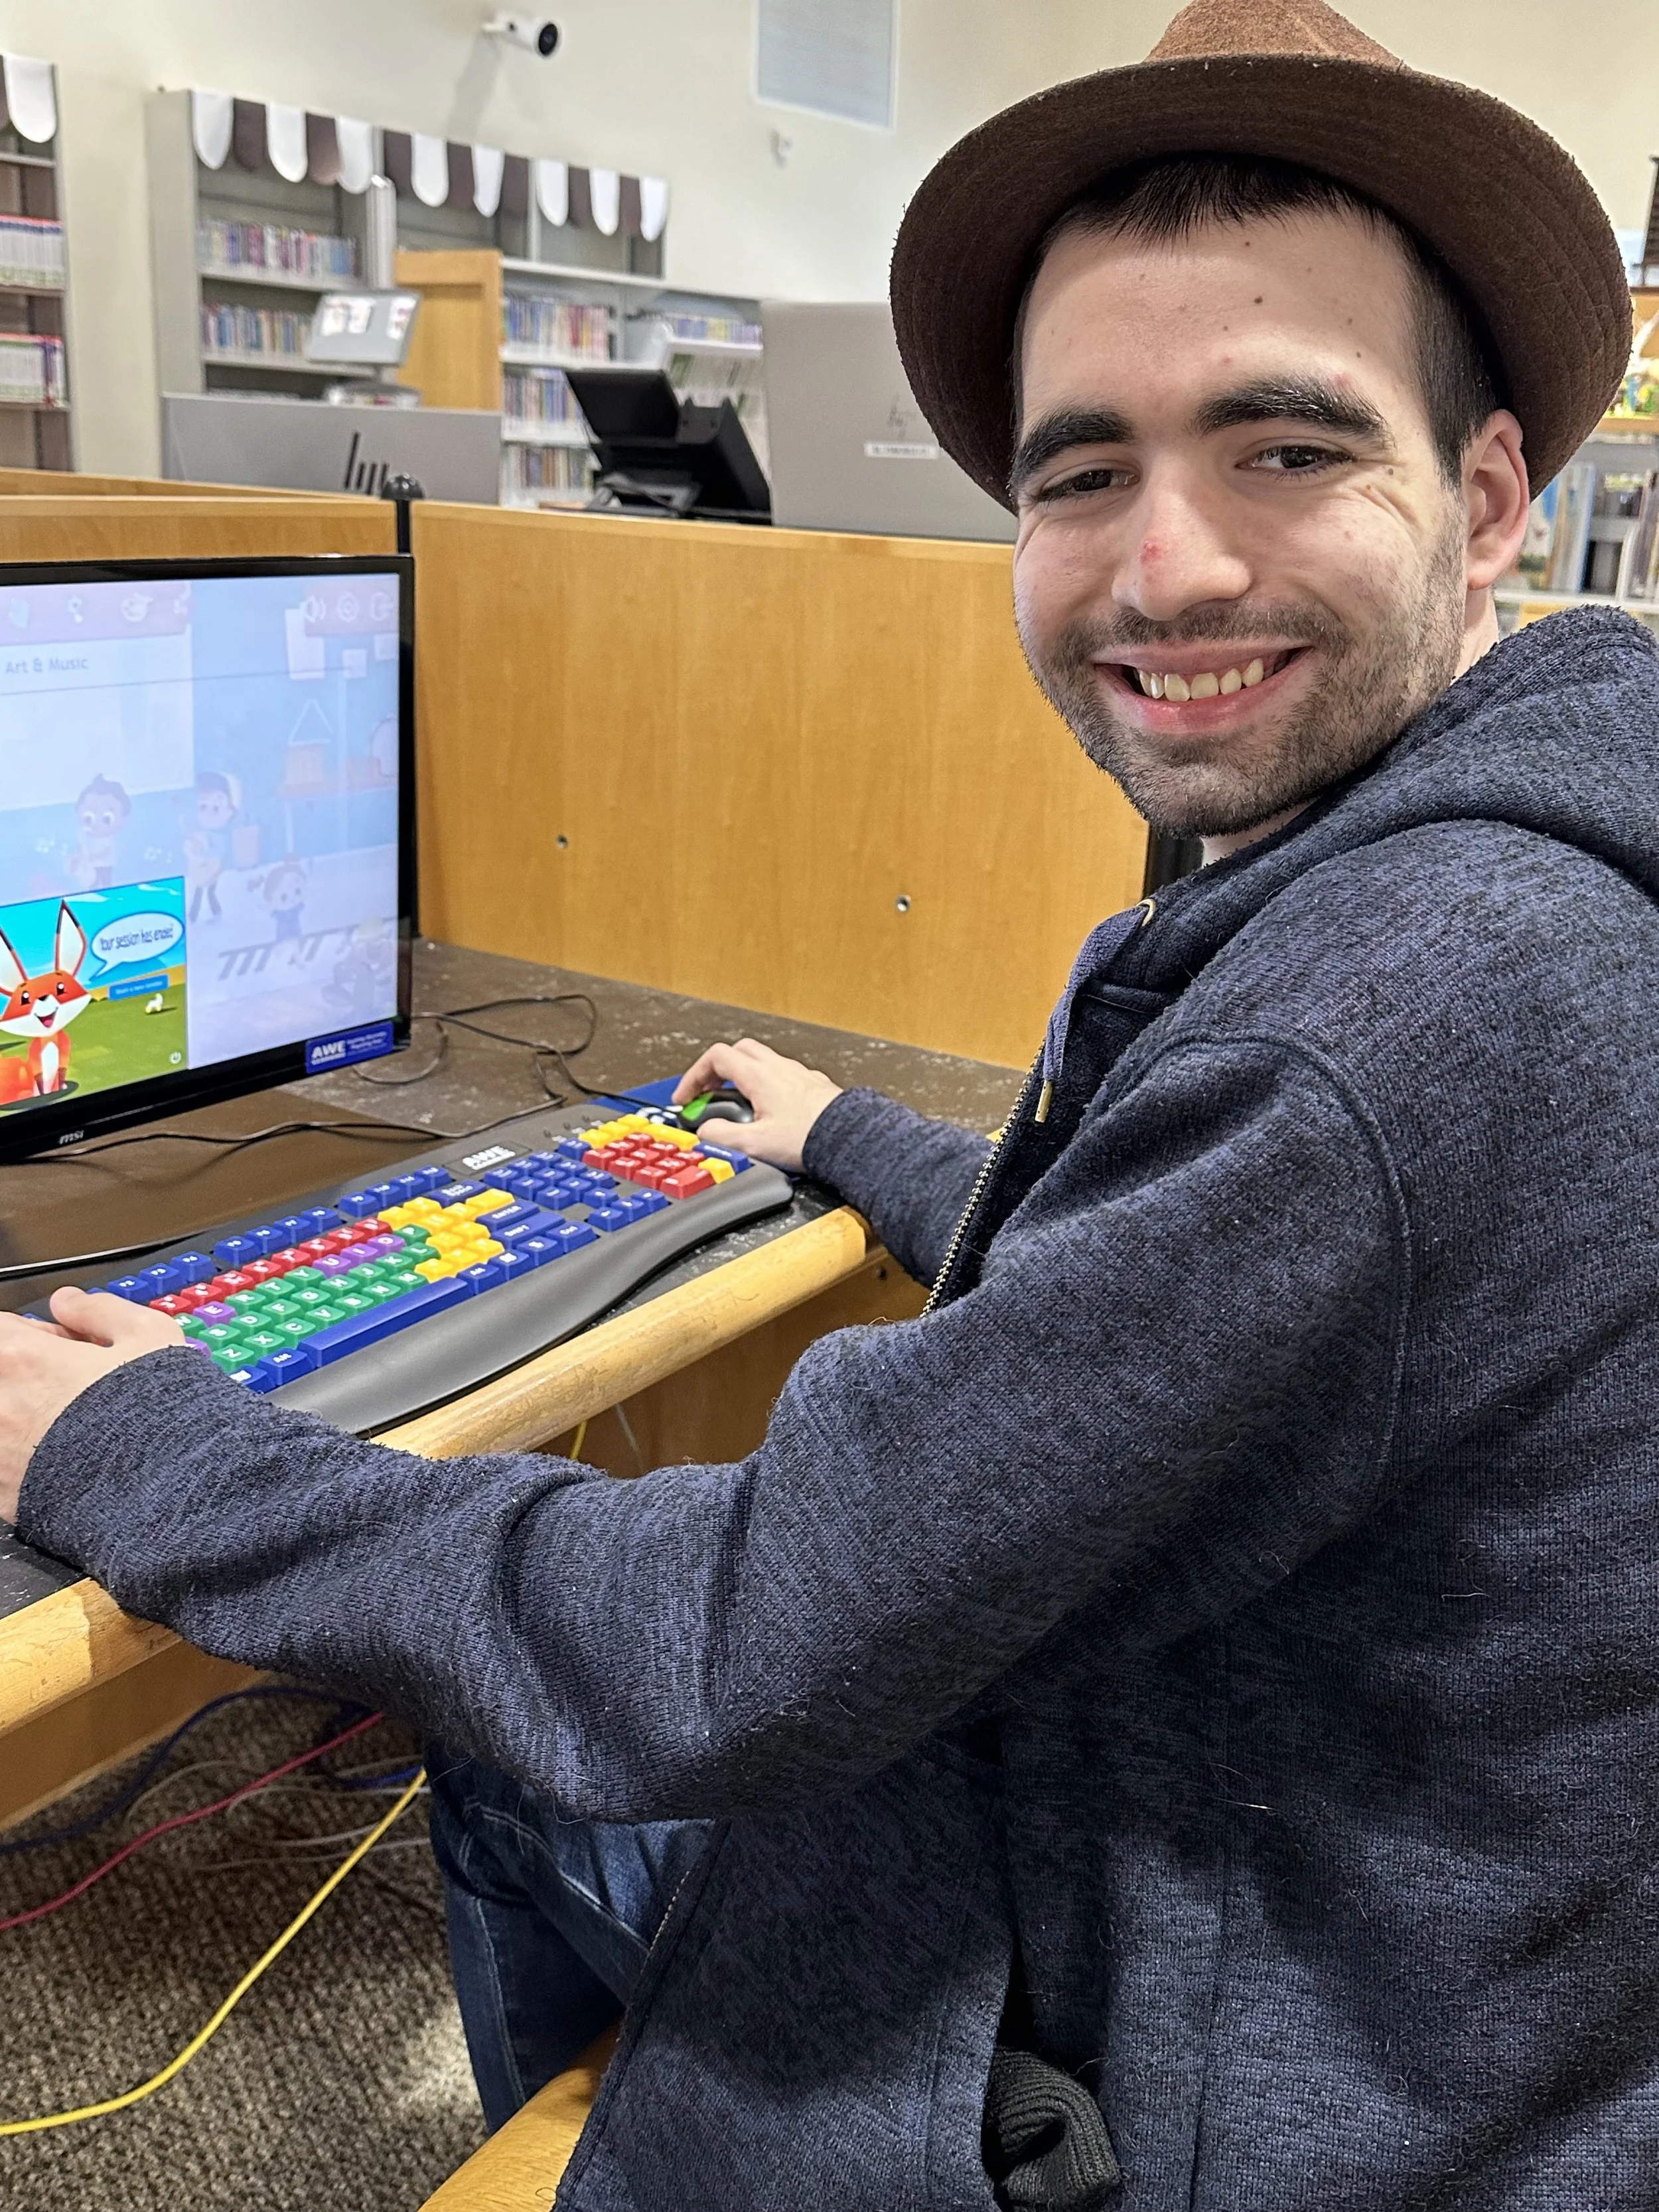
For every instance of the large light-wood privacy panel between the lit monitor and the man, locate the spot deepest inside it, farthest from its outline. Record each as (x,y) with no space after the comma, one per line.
(786,769)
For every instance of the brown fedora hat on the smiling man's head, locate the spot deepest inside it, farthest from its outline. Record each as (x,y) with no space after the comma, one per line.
(1496,198)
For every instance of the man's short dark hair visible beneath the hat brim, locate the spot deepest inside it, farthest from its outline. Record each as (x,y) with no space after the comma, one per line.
(1171,198)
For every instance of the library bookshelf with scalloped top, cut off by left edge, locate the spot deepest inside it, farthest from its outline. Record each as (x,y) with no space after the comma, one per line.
(34,371)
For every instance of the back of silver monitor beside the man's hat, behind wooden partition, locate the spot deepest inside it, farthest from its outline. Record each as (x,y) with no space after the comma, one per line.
(851,448)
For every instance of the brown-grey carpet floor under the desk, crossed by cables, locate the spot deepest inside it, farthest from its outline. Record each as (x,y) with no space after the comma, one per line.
(340,2085)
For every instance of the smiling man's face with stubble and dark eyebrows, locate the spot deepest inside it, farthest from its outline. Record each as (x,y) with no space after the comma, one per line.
(1240,570)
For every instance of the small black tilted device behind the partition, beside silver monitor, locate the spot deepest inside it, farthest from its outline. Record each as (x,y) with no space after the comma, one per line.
(662,455)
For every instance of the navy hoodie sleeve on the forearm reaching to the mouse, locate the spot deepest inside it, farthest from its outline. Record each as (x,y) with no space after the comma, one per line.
(910,1178)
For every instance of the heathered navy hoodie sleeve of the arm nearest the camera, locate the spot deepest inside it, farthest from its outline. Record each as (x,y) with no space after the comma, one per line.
(1173,1384)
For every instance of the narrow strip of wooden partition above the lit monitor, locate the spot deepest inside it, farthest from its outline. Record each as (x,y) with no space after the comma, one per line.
(116,528)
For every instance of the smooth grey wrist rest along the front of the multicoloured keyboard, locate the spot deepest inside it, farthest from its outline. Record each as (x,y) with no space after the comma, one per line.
(483,1337)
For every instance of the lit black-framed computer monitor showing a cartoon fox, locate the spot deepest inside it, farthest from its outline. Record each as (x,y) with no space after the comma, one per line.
(207,833)
